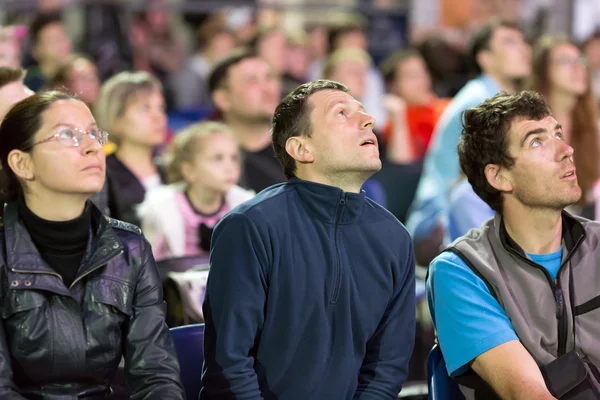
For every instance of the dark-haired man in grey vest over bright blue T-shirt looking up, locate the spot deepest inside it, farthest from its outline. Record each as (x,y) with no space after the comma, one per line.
(516,303)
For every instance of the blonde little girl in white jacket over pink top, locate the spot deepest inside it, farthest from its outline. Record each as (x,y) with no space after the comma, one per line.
(204,168)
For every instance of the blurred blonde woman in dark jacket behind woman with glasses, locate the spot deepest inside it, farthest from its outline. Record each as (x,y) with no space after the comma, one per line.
(132,108)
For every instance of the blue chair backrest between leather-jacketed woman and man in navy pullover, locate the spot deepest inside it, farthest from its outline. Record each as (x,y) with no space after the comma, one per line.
(189,341)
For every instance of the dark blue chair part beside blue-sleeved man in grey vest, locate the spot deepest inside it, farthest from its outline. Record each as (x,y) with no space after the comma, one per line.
(441,386)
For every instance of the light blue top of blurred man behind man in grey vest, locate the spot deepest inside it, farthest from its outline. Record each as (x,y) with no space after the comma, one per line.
(440,167)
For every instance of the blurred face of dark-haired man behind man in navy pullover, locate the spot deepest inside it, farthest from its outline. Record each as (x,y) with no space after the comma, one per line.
(251,93)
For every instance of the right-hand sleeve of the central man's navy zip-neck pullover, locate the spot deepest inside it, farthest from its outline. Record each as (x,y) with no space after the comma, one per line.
(385,366)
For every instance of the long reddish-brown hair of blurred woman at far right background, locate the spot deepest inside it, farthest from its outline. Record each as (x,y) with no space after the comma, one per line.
(584,117)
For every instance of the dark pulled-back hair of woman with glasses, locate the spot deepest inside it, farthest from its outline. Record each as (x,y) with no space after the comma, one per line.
(18,130)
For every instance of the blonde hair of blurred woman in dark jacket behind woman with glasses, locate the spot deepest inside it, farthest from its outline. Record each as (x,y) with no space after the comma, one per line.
(117,92)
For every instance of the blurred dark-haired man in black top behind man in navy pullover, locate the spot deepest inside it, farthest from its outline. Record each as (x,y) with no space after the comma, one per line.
(245,91)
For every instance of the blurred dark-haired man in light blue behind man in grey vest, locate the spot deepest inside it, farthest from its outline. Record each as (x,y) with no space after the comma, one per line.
(500,56)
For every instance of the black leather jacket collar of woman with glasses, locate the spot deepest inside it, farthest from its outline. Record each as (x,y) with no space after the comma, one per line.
(22,256)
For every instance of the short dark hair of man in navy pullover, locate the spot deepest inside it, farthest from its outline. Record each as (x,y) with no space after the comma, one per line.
(292,118)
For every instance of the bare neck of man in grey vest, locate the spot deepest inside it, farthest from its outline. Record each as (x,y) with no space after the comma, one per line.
(535,231)
